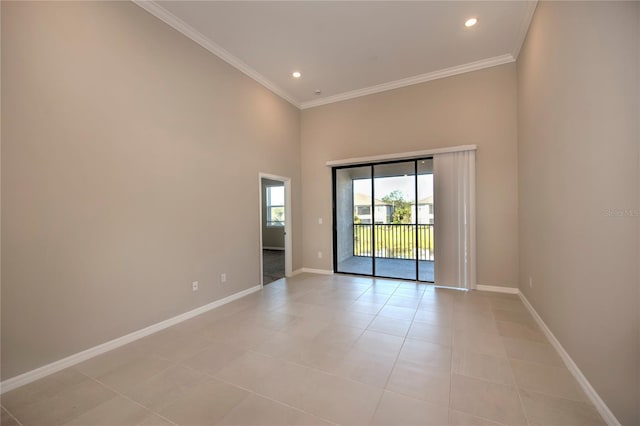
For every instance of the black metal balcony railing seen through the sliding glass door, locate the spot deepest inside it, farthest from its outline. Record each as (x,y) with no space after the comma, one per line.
(394,241)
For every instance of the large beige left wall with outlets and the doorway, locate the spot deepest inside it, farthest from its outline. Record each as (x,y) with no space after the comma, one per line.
(117,133)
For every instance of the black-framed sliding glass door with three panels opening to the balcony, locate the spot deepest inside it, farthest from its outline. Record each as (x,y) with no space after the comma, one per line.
(383,219)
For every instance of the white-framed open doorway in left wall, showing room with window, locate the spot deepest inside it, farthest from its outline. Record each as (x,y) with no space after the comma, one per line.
(275,225)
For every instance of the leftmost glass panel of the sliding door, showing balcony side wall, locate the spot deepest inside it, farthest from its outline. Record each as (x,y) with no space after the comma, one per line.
(353,220)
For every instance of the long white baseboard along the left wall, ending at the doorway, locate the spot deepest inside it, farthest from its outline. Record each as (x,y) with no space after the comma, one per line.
(54,367)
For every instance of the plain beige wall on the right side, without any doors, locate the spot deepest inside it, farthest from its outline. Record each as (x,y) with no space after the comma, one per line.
(578,161)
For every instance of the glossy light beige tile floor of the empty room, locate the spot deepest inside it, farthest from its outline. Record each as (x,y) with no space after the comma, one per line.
(324,350)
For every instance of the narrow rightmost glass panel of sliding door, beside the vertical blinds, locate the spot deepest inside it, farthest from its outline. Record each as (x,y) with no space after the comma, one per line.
(425,227)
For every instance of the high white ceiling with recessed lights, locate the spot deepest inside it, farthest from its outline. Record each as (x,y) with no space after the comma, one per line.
(346,49)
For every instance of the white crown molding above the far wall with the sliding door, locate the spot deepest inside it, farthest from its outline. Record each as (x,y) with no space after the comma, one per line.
(422,78)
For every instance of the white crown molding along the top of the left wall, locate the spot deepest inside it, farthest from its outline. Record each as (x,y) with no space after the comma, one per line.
(178,24)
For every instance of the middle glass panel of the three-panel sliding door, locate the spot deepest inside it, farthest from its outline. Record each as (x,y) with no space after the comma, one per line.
(394,228)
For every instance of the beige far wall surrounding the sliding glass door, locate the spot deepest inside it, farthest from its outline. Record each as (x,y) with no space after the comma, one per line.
(475,108)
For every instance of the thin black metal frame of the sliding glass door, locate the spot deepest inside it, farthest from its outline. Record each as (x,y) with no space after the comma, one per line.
(372,165)
